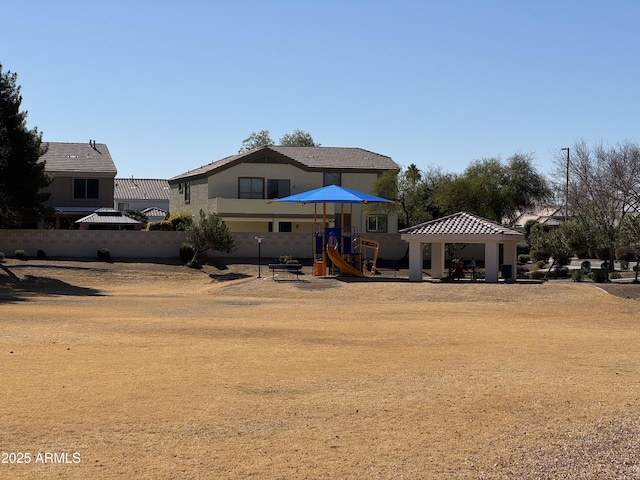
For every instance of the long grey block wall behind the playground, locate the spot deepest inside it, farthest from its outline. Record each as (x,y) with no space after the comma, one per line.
(154,244)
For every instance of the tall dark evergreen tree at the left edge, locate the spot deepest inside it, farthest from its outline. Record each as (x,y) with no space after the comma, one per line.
(22,176)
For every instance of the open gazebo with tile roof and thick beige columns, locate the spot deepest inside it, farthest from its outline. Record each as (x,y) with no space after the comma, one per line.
(460,227)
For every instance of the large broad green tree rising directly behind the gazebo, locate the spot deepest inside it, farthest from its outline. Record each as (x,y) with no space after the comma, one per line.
(492,189)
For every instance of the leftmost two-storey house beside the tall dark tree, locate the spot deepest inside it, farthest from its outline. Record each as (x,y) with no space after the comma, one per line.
(83,175)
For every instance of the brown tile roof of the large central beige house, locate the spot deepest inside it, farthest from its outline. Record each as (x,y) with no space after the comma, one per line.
(321,158)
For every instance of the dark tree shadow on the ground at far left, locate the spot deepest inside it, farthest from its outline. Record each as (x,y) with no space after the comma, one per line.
(15,289)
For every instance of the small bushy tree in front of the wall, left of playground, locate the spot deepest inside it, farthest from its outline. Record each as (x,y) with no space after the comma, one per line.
(209,232)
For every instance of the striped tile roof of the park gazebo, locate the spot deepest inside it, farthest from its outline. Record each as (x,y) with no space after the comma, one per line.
(461,223)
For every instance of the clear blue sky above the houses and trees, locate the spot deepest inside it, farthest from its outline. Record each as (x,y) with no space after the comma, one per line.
(170,85)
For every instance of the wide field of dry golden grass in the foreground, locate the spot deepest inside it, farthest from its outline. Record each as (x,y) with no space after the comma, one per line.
(148,371)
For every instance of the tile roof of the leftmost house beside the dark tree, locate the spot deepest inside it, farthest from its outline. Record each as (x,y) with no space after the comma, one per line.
(78,157)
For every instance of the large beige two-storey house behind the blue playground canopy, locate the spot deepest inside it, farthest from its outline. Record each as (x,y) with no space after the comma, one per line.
(238,188)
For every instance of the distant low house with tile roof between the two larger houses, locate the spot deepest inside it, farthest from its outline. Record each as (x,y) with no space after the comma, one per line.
(149,196)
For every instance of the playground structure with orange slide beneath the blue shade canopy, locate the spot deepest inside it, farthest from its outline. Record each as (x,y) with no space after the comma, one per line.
(349,254)
